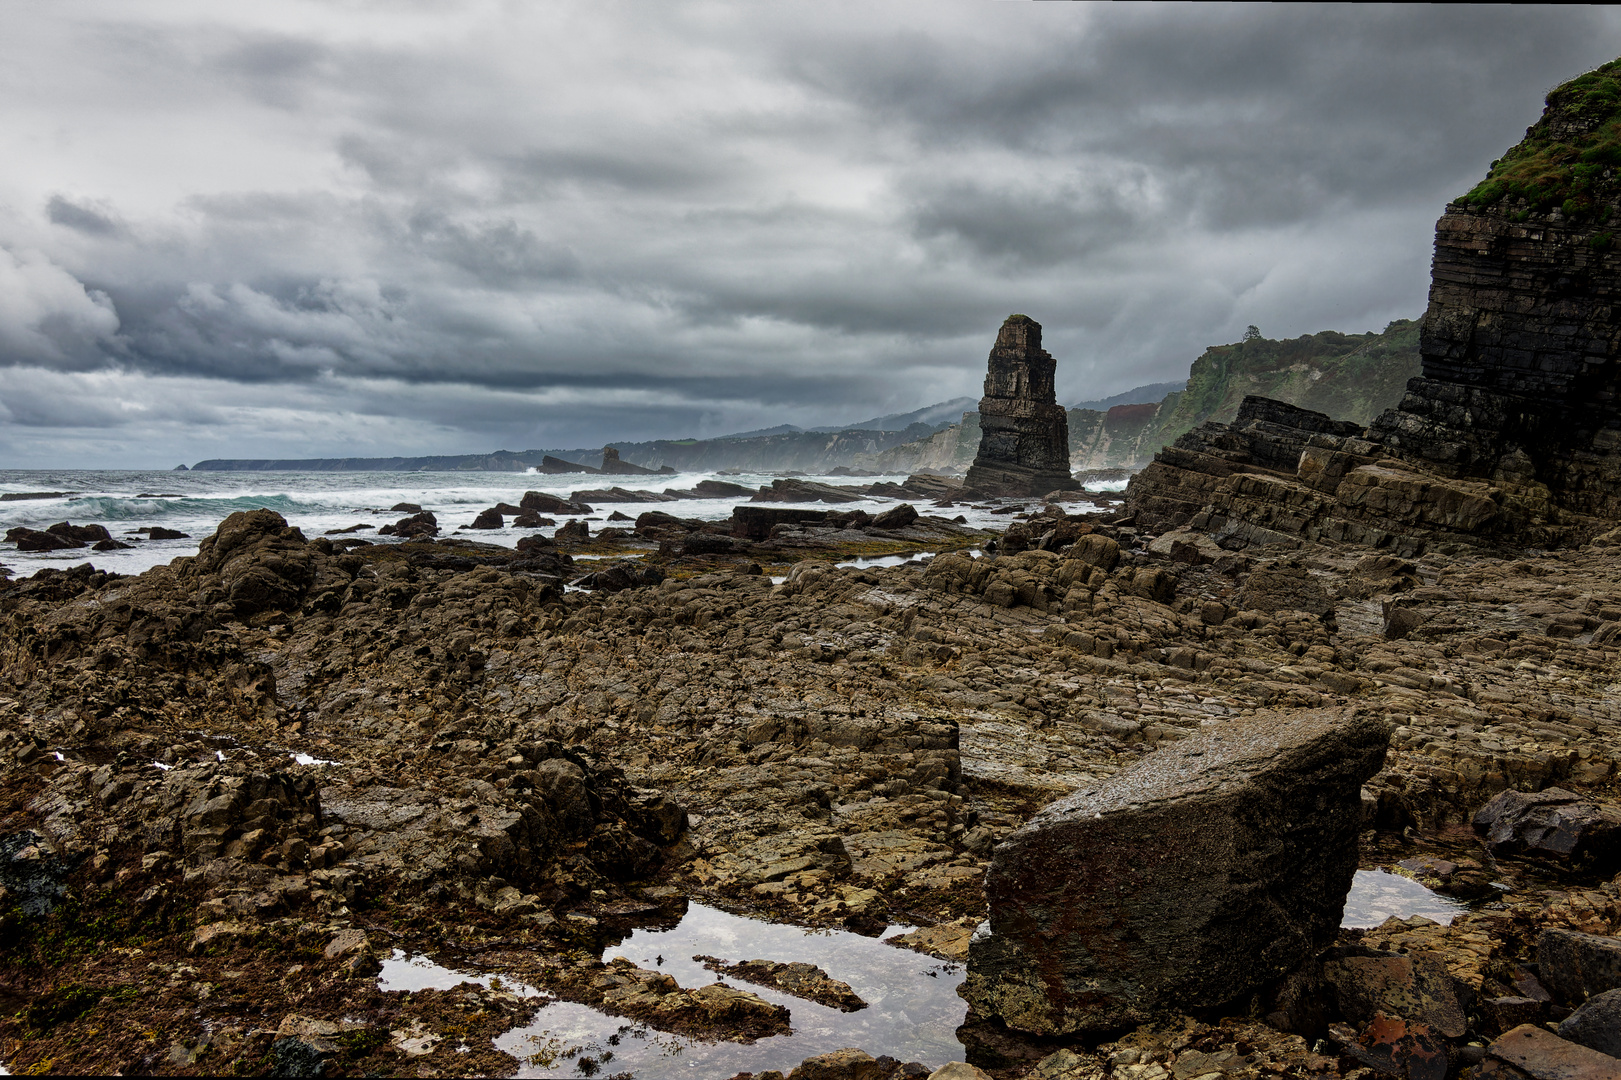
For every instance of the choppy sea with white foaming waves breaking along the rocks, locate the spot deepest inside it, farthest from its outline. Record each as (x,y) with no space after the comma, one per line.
(320,502)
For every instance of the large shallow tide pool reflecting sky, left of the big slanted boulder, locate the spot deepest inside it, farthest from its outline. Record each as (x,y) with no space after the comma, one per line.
(912,1014)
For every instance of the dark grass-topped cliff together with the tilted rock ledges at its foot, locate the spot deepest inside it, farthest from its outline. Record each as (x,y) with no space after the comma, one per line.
(1513,432)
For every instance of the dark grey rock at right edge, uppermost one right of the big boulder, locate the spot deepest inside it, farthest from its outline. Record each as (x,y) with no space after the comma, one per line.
(1554,826)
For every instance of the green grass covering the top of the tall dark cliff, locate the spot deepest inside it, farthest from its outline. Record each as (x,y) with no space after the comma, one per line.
(1567,158)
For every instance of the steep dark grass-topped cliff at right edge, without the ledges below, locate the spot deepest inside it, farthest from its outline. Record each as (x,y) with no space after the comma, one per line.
(1520,375)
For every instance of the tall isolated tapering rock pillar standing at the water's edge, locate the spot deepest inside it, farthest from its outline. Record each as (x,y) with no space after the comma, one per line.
(1025,435)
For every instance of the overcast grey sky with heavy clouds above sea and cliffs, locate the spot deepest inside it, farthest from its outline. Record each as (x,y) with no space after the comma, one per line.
(351,229)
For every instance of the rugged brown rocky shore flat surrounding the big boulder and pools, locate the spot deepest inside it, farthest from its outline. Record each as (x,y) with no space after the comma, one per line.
(281,760)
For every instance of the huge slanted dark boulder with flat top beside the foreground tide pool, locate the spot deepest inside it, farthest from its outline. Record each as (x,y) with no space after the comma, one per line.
(1189,881)
